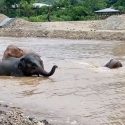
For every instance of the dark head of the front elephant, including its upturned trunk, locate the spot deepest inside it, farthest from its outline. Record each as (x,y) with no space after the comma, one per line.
(31,64)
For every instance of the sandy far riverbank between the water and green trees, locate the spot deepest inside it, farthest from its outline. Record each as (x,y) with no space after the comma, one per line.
(112,28)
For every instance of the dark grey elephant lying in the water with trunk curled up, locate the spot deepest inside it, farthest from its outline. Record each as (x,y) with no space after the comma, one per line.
(28,65)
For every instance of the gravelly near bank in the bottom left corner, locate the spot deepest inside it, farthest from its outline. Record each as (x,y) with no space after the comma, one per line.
(14,116)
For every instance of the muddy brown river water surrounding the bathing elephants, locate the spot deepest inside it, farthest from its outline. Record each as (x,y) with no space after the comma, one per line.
(81,92)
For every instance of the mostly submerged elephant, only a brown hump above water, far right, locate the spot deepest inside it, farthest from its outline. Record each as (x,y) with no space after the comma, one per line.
(113,63)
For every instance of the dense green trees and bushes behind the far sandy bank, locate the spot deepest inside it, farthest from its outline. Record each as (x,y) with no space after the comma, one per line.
(60,10)
